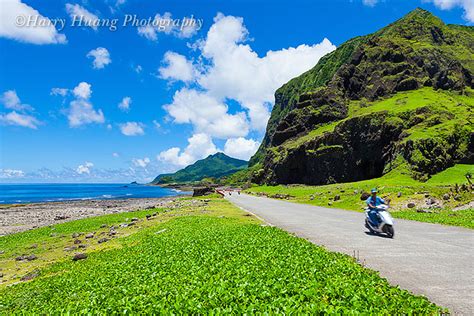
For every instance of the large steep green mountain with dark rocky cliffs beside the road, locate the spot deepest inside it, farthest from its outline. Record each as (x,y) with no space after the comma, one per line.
(400,98)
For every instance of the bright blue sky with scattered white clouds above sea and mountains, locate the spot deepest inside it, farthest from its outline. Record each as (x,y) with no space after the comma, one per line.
(83,103)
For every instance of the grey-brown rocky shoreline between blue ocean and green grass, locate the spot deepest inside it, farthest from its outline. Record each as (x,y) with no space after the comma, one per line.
(18,218)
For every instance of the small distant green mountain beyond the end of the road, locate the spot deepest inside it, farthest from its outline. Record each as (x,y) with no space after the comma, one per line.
(214,166)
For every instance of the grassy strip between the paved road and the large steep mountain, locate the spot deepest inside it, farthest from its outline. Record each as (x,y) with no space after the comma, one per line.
(395,183)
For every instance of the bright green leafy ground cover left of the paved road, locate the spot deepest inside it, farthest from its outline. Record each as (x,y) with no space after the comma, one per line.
(204,258)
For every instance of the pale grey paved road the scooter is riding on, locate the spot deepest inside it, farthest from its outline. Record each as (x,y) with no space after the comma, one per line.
(427,259)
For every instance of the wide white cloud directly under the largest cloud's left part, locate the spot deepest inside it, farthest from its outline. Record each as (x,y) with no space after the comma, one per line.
(206,114)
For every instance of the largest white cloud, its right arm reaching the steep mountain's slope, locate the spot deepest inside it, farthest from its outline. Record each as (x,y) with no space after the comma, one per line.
(235,67)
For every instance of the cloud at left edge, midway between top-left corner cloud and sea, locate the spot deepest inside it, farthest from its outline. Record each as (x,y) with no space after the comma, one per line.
(20,116)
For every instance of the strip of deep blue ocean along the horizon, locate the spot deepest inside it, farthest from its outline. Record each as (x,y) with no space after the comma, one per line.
(28,193)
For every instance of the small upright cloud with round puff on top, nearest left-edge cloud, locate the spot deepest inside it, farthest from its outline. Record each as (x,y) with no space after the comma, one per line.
(81,110)
